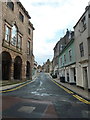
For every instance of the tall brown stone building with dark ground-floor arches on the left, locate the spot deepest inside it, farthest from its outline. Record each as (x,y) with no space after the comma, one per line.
(17,42)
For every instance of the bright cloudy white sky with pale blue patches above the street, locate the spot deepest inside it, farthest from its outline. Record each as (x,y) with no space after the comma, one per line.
(51,18)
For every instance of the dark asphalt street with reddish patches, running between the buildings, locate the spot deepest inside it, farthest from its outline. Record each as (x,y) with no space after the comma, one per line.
(42,98)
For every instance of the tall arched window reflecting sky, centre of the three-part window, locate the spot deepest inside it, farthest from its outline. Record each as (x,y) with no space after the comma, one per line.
(14,35)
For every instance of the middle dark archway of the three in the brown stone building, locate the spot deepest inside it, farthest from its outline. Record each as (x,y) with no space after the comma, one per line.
(17,68)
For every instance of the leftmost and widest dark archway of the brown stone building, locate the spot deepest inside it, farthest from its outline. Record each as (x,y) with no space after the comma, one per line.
(6,65)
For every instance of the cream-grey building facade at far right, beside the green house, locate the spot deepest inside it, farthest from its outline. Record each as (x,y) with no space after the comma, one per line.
(82,43)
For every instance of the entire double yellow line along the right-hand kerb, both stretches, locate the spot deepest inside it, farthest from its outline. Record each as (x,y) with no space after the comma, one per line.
(73,94)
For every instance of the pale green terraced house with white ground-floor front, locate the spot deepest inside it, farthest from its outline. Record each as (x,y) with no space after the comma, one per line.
(67,60)
